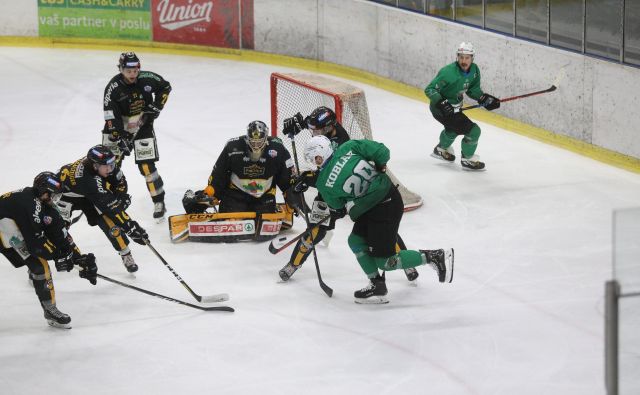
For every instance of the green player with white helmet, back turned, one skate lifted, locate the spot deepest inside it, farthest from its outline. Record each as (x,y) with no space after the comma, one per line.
(353,180)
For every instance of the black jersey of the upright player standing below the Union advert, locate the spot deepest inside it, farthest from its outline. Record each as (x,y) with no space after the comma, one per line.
(123,101)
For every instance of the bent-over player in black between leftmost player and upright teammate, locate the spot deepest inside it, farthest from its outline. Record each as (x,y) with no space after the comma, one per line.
(96,186)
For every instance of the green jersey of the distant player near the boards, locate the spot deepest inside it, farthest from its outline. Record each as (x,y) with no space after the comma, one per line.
(451,83)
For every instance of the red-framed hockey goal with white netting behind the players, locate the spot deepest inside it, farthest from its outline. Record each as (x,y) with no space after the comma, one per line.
(293,92)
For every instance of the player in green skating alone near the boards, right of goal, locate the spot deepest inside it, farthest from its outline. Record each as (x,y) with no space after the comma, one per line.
(445,93)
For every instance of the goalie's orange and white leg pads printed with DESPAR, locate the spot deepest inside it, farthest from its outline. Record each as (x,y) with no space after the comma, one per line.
(229,227)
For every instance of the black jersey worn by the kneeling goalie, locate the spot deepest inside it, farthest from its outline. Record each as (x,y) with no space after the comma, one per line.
(234,168)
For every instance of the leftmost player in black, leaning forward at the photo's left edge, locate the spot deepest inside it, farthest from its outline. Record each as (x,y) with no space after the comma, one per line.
(32,233)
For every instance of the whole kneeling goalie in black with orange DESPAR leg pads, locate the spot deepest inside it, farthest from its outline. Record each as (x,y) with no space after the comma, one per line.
(243,185)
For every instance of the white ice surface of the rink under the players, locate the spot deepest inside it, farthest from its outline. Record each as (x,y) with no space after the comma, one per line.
(524,314)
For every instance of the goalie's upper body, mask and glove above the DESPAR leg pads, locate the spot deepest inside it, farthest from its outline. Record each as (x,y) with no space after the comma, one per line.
(247,172)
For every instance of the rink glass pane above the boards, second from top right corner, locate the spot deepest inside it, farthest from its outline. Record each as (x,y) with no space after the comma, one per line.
(603,34)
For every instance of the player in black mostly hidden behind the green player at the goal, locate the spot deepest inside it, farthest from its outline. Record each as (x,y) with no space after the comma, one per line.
(322,121)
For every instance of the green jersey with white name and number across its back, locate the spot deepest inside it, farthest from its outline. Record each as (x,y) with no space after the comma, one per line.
(350,179)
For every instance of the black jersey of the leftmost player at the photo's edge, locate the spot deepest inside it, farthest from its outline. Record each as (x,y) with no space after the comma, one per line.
(40,224)
